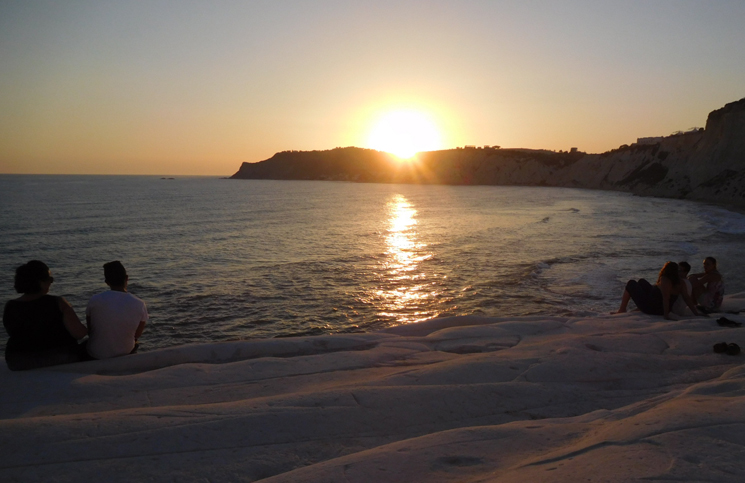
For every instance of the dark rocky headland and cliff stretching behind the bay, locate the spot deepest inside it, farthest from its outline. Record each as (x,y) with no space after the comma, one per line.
(706,165)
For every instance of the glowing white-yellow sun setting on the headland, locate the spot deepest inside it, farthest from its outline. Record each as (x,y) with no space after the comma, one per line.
(404,133)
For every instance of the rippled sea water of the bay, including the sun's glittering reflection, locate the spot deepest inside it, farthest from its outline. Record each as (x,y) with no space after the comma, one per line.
(220,259)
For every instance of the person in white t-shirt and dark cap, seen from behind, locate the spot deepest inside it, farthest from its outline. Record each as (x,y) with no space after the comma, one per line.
(115,318)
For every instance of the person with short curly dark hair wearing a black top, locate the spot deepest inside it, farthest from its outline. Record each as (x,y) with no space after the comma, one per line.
(44,330)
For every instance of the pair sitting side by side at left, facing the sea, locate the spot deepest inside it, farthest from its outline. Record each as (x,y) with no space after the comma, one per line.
(44,330)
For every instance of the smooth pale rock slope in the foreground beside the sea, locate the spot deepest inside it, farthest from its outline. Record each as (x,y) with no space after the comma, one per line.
(608,398)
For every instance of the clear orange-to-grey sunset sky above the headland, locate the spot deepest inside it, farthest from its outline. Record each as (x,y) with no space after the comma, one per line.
(187,87)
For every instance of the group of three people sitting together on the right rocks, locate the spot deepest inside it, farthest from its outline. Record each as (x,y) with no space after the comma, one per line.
(676,292)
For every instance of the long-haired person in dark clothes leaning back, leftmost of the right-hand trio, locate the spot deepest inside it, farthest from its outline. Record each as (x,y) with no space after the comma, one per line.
(659,298)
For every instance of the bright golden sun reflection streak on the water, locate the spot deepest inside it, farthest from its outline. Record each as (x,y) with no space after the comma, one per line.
(406,292)
